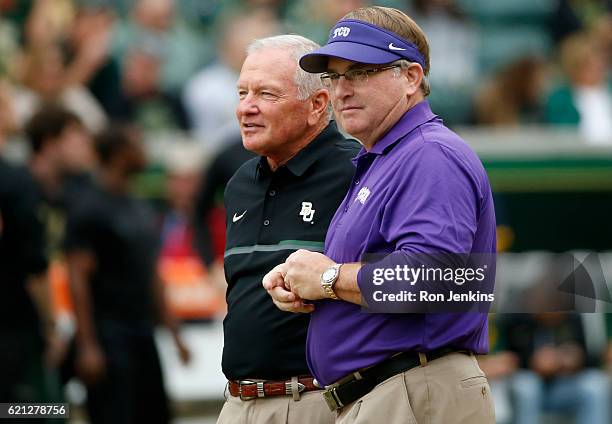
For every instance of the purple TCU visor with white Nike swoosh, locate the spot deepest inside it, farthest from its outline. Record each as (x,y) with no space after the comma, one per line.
(362,42)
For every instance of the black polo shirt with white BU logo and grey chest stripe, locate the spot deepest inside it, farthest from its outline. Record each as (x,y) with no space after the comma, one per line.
(270,215)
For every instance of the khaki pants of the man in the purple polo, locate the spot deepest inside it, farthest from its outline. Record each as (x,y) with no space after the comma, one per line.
(449,390)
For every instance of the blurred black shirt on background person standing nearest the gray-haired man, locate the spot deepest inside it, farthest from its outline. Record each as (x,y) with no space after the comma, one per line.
(122,233)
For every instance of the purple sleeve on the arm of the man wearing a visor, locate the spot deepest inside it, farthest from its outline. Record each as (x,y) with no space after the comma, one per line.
(430,215)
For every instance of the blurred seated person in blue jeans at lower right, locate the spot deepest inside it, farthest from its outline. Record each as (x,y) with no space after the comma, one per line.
(558,373)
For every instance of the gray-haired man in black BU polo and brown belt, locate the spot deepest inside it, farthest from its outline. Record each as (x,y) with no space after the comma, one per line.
(276,203)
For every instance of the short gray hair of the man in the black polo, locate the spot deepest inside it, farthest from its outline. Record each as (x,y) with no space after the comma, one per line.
(297,46)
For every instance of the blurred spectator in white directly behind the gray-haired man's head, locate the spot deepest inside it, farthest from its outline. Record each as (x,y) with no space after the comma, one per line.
(210,95)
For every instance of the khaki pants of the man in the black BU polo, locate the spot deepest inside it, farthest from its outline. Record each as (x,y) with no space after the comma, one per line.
(310,409)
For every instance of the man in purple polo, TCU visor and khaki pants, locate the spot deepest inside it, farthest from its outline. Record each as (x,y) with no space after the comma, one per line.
(419,194)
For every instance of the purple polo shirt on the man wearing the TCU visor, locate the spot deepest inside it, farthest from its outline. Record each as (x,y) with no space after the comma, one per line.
(421,189)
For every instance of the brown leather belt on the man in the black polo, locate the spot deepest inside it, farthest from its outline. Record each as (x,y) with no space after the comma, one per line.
(247,389)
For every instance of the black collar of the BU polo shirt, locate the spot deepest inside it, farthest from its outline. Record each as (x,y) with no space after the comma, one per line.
(306,157)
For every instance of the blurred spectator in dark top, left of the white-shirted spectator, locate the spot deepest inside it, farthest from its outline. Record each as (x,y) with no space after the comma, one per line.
(142,99)
